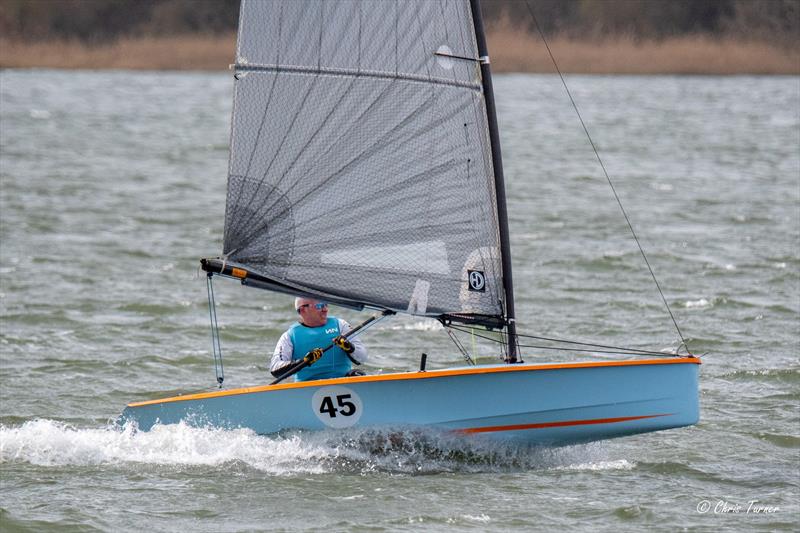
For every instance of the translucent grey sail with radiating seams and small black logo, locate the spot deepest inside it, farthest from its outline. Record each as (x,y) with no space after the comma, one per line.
(360,158)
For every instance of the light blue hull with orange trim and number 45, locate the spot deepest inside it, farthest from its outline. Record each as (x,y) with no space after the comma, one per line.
(555,404)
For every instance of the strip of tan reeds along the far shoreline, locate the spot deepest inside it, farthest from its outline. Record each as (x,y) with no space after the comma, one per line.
(512,51)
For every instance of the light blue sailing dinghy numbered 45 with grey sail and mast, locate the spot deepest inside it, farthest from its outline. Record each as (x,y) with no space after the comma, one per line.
(365,171)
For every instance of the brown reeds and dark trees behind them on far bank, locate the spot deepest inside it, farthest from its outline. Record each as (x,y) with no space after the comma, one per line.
(586,36)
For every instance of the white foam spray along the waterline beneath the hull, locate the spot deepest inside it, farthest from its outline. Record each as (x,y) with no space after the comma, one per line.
(45,442)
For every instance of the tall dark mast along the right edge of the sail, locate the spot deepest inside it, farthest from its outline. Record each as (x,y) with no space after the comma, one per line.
(500,188)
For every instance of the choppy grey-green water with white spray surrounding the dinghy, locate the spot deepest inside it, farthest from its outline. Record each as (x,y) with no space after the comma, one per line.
(113,185)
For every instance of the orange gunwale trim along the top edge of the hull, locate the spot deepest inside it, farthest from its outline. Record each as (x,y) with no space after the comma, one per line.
(428,374)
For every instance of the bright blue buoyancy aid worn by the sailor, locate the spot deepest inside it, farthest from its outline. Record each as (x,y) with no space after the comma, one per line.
(333,364)
